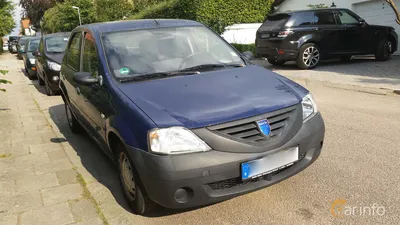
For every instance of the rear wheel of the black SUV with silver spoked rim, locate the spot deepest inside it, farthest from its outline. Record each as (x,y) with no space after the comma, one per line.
(309,56)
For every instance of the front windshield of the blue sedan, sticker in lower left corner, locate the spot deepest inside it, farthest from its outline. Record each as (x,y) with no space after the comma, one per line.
(161,50)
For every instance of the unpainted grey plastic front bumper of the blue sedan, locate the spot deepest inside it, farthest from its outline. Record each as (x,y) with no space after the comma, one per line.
(215,176)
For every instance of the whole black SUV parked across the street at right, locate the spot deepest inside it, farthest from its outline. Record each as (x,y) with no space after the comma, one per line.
(311,35)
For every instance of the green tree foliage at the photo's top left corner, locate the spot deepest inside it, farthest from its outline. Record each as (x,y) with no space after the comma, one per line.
(7,23)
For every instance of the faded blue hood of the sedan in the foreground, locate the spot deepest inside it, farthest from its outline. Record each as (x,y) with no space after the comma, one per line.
(211,98)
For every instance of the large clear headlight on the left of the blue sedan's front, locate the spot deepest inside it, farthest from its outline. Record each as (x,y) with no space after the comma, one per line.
(175,140)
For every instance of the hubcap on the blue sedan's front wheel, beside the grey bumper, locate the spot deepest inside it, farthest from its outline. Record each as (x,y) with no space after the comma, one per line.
(128,180)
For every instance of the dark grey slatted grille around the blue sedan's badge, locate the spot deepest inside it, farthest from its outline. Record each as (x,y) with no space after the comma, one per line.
(248,130)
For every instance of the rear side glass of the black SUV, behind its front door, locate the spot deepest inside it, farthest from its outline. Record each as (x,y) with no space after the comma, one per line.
(312,18)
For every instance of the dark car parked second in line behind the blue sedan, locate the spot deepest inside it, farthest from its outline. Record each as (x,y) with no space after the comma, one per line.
(32,45)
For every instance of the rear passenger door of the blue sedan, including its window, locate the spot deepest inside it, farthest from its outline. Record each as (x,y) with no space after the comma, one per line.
(71,64)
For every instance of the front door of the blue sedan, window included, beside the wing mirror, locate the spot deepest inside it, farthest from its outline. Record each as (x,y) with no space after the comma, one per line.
(95,98)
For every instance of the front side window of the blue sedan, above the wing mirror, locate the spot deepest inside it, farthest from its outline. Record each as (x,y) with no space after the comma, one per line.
(90,61)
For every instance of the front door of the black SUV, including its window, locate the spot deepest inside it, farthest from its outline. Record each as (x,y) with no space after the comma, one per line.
(354,36)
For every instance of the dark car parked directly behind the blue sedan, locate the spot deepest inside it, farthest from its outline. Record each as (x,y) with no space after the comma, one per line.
(48,60)
